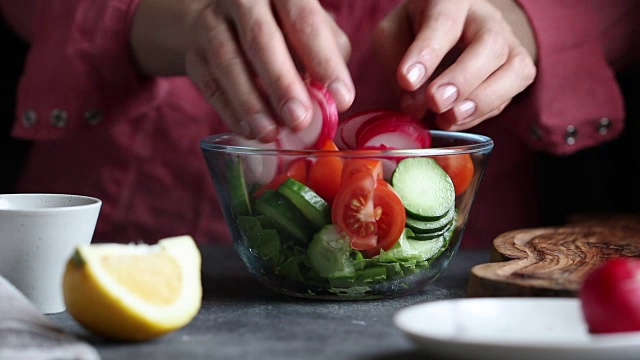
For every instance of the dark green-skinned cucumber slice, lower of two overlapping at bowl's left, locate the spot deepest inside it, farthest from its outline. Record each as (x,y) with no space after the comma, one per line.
(289,218)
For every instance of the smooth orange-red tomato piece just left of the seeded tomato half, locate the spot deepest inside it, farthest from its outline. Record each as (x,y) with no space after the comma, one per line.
(325,173)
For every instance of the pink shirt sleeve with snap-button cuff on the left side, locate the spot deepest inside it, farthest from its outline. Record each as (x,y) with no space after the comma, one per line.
(79,71)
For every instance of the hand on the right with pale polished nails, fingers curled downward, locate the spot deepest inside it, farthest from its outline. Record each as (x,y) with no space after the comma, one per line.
(463,60)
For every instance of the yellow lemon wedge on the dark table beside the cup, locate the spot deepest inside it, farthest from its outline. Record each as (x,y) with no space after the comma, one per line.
(134,292)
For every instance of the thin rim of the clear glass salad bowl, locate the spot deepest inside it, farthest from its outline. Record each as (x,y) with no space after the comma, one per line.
(477,144)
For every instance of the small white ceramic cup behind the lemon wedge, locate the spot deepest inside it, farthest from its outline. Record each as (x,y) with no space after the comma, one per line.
(38,235)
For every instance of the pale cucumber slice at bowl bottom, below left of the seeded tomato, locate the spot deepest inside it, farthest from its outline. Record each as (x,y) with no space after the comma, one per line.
(329,254)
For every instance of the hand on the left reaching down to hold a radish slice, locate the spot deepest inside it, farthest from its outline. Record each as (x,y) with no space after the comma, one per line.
(247,58)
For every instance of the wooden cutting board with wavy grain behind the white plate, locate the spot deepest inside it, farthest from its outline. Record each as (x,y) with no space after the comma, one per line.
(553,261)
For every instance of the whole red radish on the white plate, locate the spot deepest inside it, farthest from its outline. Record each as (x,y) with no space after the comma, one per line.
(610,296)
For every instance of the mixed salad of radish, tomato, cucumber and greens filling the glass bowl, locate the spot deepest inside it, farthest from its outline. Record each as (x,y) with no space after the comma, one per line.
(347,224)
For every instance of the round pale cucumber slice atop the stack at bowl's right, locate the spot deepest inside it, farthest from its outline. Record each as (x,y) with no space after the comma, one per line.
(425,189)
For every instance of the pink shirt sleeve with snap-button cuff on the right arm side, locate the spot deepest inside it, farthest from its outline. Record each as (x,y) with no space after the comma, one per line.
(575,101)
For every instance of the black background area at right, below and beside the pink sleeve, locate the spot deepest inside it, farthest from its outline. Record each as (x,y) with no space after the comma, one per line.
(600,180)
